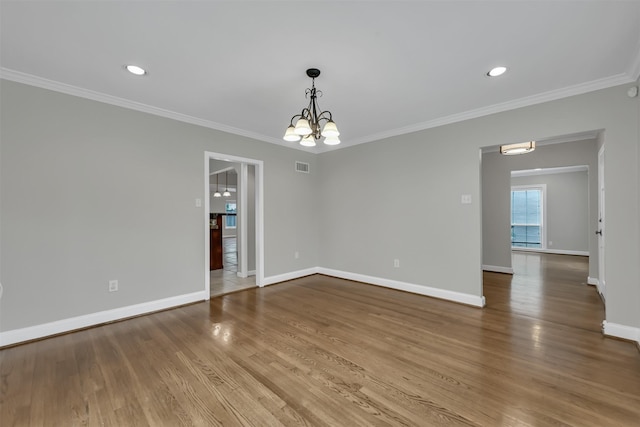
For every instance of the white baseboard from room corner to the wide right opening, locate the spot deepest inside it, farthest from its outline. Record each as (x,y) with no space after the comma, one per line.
(459,297)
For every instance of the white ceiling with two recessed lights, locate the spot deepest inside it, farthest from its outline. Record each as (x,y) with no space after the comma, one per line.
(388,67)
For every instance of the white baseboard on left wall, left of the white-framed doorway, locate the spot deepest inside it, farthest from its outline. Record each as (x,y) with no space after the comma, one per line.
(94,319)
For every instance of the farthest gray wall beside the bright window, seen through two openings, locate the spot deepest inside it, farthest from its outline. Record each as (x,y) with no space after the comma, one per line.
(567,209)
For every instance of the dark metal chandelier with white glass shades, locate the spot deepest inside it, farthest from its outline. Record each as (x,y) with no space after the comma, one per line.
(307,128)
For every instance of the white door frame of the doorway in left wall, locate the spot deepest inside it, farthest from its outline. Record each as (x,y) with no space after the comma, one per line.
(259,214)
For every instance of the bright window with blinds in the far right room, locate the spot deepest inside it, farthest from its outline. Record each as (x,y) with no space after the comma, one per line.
(527,217)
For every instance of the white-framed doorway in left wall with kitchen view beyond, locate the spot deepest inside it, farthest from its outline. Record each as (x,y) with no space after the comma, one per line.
(249,222)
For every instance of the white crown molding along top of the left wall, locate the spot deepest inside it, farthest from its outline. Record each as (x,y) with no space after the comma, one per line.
(29,79)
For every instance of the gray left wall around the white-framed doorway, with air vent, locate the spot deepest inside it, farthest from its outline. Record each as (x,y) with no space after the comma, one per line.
(93,192)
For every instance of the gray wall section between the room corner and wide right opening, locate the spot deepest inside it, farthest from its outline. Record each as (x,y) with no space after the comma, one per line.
(400,199)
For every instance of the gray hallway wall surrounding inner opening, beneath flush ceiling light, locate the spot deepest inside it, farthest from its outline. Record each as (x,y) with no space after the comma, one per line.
(496,187)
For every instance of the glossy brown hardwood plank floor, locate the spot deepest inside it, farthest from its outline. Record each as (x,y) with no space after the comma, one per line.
(328,352)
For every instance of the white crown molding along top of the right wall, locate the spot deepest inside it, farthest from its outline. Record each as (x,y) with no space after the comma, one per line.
(618,79)
